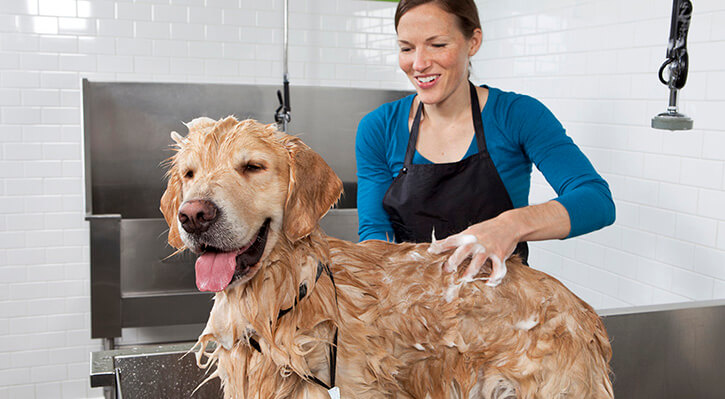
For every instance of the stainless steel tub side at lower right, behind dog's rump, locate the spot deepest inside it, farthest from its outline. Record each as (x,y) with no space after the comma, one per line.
(670,351)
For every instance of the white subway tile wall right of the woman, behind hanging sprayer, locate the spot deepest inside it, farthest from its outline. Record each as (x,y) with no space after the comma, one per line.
(594,64)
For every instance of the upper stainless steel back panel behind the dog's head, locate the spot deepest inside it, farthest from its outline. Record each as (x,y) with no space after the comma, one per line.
(127,126)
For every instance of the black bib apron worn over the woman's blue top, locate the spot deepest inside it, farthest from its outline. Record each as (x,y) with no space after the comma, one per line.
(447,197)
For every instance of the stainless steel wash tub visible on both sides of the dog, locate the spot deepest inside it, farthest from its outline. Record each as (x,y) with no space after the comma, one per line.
(660,352)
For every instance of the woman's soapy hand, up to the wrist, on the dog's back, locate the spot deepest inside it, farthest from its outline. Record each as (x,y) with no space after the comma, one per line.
(493,239)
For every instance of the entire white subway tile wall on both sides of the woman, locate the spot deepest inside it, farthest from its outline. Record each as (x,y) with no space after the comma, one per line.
(592,62)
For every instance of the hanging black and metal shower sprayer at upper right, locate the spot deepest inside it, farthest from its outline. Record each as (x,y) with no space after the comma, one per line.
(677,64)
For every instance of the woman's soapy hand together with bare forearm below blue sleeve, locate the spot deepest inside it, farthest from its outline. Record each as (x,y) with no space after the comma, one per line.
(496,238)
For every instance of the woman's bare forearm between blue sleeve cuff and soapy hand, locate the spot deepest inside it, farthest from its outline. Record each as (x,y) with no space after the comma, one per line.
(546,221)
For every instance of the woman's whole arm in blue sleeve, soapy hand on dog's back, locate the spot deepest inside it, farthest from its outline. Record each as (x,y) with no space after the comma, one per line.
(584,203)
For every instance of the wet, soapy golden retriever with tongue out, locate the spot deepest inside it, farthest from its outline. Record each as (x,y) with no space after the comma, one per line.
(384,321)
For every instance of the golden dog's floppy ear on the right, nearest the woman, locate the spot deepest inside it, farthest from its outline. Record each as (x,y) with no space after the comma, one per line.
(313,189)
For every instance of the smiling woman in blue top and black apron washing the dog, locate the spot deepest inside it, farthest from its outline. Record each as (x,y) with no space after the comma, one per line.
(455,159)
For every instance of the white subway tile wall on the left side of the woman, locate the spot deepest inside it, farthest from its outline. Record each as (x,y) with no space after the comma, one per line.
(46,48)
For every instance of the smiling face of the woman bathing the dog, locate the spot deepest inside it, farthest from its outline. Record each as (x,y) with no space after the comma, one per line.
(434,52)
